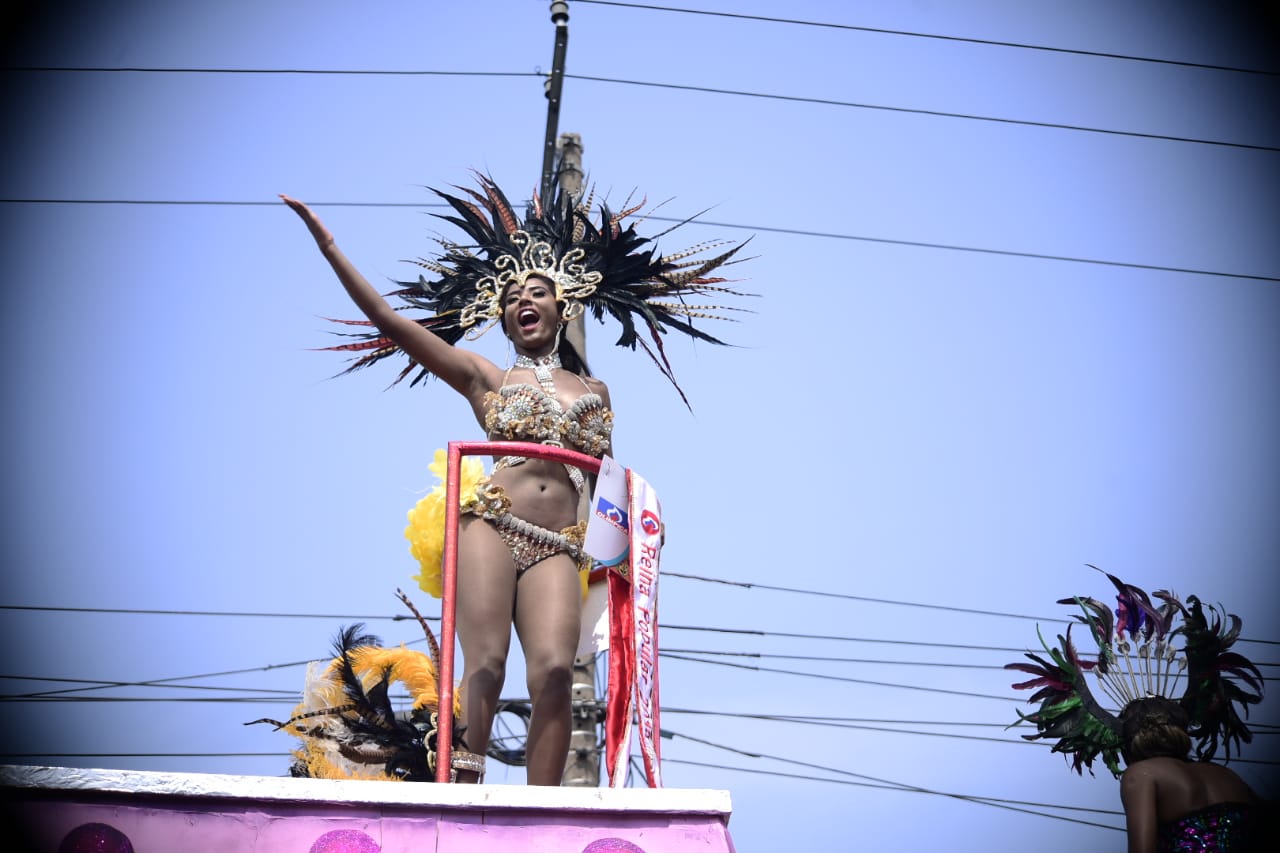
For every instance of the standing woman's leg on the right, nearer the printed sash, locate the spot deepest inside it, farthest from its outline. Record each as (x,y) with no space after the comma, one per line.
(548,617)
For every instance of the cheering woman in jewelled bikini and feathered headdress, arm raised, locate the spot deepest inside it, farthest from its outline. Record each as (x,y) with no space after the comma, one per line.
(520,554)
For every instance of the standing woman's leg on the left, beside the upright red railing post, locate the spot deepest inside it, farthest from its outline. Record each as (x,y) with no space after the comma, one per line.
(487,594)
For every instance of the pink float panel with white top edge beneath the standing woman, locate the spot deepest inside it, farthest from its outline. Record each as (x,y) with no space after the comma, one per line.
(79,811)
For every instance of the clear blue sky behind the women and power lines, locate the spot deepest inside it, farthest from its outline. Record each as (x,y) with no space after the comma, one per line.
(985,354)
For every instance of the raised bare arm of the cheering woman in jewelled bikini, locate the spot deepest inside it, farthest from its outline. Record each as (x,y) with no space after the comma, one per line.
(465,372)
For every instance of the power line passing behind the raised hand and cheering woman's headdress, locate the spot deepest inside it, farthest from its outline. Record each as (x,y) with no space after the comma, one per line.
(797,232)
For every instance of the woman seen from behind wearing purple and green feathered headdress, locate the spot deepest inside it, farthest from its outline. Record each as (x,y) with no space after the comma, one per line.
(1172,701)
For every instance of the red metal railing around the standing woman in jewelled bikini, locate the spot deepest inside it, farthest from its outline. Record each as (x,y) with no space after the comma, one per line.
(449,604)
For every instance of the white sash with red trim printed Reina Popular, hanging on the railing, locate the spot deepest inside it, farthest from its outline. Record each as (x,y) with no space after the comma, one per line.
(633,696)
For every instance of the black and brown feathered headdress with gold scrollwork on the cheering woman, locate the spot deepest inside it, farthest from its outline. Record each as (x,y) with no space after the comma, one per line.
(600,267)
